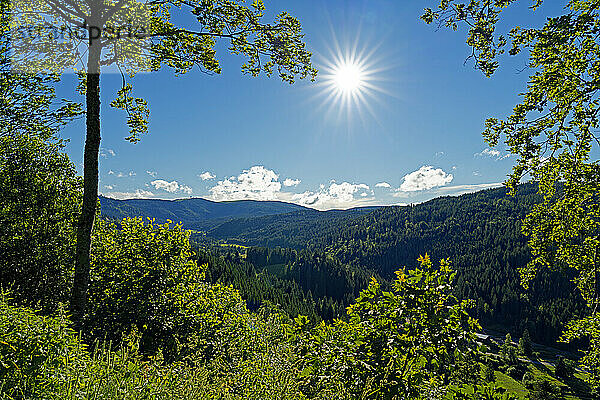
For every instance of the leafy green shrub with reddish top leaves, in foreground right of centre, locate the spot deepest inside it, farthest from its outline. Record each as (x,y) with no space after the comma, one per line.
(394,343)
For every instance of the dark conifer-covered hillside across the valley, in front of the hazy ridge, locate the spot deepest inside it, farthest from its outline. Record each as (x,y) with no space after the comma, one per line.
(480,233)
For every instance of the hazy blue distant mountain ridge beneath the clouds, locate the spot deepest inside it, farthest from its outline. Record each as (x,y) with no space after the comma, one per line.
(194,213)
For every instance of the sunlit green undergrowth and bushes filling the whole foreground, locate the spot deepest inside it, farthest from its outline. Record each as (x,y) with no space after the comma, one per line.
(157,327)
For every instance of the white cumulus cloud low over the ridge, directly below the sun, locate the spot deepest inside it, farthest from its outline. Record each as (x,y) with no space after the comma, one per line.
(337,195)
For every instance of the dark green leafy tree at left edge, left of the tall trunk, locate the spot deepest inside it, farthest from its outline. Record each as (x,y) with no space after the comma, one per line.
(39,202)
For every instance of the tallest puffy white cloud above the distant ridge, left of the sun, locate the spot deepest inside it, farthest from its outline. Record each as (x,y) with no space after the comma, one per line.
(256,183)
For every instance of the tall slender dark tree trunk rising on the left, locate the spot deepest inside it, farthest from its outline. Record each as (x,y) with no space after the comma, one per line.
(90,185)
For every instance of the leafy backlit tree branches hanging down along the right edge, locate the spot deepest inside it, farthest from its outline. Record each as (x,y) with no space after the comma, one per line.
(553,133)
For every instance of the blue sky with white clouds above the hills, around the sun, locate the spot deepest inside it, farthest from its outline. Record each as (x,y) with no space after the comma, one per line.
(231,136)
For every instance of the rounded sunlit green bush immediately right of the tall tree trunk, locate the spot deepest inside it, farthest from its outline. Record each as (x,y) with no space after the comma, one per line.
(144,275)
